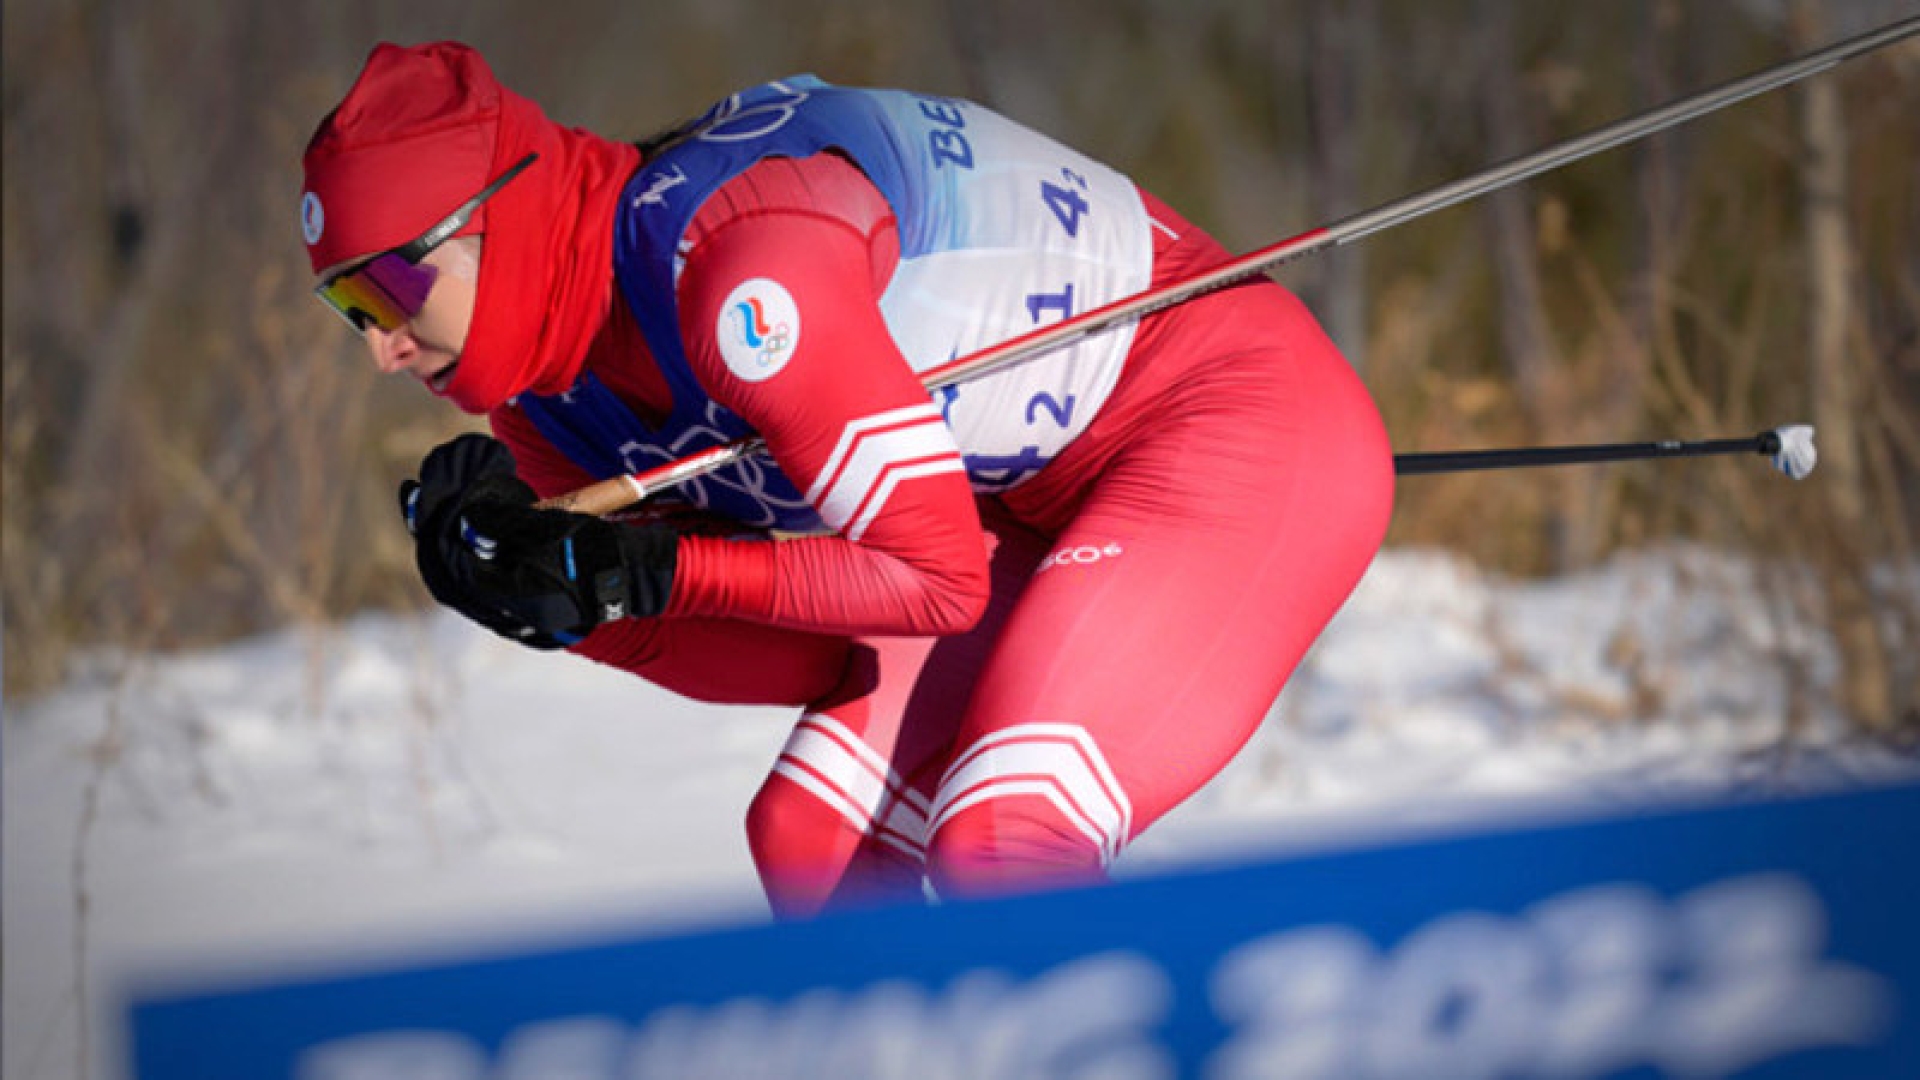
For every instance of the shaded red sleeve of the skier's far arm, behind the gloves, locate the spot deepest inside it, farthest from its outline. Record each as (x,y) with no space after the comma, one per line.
(709,660)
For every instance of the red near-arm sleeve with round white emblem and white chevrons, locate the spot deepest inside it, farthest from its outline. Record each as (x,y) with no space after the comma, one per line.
(780,314)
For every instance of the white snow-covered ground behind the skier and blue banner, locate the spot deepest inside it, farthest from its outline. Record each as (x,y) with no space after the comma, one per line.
(418,785)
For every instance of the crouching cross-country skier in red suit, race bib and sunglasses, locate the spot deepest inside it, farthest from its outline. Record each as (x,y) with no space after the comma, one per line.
(1024,618)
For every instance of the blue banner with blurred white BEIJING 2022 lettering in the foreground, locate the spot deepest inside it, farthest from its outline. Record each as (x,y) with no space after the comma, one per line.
(1769,941)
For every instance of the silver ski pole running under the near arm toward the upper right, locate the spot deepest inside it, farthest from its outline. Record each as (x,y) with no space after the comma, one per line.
(619,493)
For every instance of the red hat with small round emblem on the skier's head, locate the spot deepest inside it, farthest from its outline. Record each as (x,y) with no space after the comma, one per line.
(410,143)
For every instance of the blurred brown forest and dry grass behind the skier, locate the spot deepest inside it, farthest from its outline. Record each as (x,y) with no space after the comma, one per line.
(197,451)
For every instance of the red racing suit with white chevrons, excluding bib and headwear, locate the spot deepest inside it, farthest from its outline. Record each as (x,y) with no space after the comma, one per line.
(999,689)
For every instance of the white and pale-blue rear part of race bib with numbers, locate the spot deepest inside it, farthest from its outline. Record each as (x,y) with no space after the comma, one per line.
(1013,233)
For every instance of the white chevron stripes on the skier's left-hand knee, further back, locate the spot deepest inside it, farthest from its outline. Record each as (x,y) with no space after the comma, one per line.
(840,770)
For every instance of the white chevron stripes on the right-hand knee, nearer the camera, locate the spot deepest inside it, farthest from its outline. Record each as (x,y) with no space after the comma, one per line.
(1059,764)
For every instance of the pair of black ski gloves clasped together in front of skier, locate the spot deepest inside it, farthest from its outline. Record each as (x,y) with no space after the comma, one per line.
(539,577)
